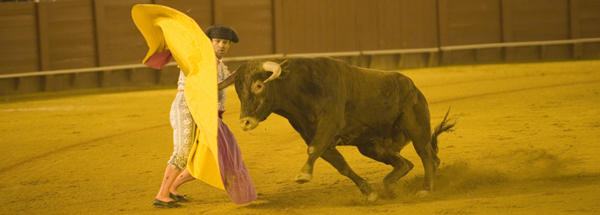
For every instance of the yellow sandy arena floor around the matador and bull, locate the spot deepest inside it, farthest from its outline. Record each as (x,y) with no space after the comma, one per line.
(527,142)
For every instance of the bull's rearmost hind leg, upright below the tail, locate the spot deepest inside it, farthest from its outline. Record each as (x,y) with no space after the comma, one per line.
(415,123)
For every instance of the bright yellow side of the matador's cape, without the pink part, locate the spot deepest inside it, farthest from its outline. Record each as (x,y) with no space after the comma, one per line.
(164,27)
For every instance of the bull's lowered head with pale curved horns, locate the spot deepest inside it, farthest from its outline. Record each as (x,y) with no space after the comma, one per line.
(254,83)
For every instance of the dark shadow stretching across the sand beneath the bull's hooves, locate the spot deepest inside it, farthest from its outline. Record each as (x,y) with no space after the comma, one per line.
(458,180)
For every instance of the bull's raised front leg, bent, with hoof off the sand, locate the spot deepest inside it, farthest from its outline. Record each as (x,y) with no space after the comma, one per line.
(326,130)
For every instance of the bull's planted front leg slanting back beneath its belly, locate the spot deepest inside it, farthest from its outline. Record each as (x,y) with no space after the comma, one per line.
(333,156)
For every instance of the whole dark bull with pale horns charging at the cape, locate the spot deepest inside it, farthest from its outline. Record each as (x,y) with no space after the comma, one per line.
(329,103)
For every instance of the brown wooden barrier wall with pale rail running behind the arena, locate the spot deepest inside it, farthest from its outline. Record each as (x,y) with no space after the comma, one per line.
(69,34)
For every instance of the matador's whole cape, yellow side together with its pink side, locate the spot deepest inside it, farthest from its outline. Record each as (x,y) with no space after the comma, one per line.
(172,34)
